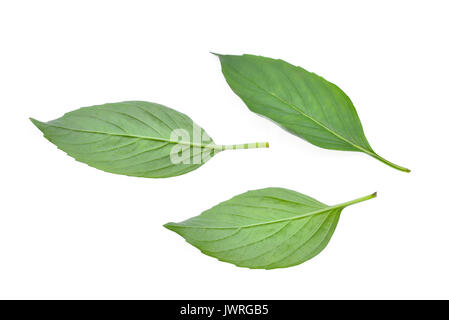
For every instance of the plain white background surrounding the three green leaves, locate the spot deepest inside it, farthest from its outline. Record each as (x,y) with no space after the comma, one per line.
(70,231)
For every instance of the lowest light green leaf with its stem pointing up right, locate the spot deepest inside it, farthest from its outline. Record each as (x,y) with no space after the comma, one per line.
(264,229)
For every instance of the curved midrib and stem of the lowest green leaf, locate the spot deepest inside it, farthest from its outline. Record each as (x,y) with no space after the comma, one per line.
(308,214)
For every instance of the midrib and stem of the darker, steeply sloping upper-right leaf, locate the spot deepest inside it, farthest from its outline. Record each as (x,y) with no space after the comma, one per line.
(372,154)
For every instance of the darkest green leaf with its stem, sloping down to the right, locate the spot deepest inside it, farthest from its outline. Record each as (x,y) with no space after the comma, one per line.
(299,101)
